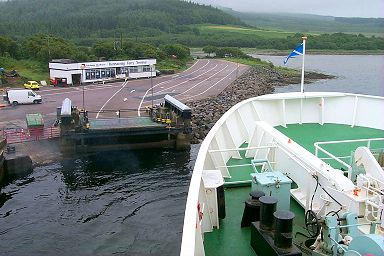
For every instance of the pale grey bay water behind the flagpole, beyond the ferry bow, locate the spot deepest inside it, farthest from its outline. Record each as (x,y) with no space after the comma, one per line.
(361,74)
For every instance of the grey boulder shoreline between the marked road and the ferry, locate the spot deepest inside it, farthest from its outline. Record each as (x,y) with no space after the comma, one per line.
(256,81)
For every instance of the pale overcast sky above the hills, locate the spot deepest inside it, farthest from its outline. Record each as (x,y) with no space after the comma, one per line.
(339,8)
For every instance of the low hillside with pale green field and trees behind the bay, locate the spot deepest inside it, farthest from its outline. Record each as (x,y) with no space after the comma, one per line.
(248,37)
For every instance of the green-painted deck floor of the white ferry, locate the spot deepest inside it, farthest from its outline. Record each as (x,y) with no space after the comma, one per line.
(230,239)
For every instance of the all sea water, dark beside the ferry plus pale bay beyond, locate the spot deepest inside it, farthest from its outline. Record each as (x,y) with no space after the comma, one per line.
(131,202)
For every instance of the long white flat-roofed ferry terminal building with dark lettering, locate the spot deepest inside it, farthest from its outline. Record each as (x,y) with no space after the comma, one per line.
(66,72)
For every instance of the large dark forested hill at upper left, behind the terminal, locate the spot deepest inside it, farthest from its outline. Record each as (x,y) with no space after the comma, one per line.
(105,18)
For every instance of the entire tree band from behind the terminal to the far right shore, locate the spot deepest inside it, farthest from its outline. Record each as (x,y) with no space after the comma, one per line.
(45,47)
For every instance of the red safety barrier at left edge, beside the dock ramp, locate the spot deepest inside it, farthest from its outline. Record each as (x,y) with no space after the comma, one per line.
(18,135)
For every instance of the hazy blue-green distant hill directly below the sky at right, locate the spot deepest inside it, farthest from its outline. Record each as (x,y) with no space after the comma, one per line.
(310,23)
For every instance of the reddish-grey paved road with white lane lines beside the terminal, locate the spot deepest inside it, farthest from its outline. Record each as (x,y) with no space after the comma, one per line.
(203,79)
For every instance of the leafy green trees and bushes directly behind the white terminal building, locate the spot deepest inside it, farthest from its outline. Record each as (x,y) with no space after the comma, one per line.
(44,47)
